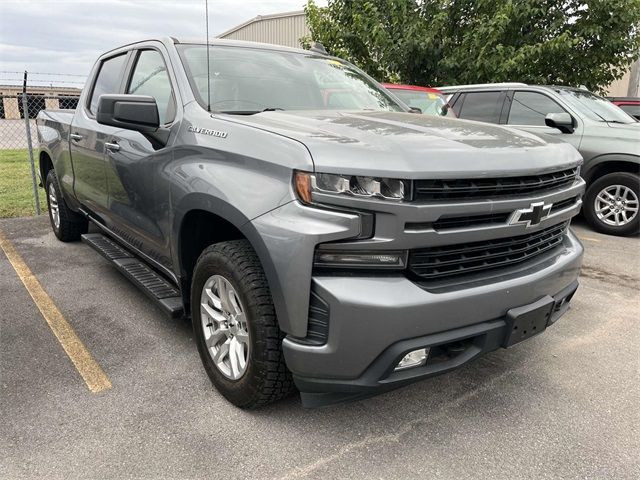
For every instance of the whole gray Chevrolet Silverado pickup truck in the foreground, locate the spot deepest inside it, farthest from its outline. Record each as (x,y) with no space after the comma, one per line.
(317,233)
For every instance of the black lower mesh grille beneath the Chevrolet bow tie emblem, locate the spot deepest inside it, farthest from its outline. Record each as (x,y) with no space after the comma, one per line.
(443,262)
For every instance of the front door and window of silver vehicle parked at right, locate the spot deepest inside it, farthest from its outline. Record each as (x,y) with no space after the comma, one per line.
(528,109)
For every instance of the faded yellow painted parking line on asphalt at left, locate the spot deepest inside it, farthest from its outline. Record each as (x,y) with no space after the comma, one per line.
(87,367)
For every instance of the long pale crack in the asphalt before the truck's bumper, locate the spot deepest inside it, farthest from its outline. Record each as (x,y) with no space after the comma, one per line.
(396,437)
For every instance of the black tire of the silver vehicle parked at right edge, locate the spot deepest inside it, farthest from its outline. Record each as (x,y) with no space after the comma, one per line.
(629,180)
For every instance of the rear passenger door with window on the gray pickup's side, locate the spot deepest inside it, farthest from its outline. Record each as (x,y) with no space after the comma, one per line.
(88,137)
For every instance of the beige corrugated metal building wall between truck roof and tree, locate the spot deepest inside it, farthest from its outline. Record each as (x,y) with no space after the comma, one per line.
(280,29)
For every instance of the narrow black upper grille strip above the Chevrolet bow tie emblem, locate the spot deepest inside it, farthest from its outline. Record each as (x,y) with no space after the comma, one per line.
(492,188)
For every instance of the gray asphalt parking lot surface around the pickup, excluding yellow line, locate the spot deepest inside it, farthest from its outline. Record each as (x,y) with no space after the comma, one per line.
(562,405)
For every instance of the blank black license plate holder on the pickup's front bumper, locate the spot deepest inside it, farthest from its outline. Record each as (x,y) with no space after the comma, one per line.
(527,321)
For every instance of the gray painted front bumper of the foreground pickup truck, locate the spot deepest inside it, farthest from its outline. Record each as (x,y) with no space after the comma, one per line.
(375,321)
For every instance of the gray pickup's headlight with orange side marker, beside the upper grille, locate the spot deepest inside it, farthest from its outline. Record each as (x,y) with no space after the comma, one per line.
(353,185)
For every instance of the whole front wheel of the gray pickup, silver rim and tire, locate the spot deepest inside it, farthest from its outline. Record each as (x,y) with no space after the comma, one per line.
(235,326)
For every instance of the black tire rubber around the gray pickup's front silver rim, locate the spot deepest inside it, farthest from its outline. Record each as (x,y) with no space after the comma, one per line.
(266,378)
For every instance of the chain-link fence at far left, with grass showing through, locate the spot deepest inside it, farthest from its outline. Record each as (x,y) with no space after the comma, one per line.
(19,108)
